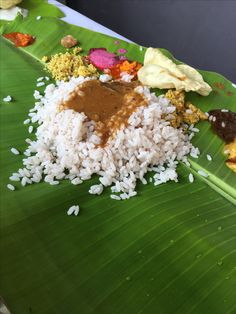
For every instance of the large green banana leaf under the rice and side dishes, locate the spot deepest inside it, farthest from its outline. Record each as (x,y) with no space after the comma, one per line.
(171,249)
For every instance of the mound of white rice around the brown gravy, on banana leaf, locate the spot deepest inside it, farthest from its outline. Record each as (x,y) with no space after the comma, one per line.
(66,145)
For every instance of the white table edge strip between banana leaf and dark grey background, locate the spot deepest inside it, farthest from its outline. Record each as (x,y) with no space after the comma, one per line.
(76,18)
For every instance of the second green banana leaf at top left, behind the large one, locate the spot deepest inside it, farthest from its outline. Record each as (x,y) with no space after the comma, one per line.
(38,8)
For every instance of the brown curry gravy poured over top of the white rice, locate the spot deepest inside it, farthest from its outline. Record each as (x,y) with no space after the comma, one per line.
(110,104)
